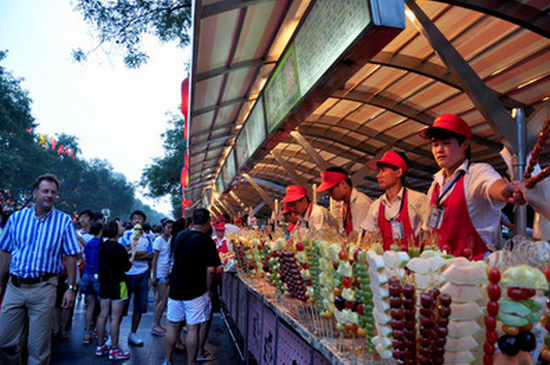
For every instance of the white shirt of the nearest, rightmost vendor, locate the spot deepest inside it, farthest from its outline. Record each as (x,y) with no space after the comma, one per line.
(484,211)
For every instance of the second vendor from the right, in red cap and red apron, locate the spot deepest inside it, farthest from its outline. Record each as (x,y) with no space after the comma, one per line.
(399,212)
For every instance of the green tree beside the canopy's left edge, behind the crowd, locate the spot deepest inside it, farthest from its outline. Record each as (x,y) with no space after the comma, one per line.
(163,176)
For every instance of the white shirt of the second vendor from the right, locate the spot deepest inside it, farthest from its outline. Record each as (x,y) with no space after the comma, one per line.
(417,202)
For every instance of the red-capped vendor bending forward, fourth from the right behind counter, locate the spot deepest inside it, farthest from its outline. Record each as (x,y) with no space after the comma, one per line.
(312,216)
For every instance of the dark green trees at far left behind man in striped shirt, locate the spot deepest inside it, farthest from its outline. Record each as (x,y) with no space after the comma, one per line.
(84,185)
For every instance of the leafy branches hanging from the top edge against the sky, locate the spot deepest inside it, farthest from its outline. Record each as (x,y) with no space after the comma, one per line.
(123,23)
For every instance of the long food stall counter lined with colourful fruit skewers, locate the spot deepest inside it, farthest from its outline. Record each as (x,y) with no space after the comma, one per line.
(311,301)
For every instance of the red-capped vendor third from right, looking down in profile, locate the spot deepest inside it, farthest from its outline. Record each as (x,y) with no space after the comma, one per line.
(336,182)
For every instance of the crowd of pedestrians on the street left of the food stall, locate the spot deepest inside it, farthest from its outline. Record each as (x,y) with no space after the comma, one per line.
(47,260)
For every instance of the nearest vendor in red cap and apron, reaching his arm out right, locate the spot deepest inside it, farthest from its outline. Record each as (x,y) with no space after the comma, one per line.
(465,198)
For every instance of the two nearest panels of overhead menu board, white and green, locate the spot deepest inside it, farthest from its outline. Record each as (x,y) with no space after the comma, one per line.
(330,28)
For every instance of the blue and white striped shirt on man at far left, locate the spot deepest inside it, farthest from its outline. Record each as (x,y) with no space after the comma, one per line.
(37,244)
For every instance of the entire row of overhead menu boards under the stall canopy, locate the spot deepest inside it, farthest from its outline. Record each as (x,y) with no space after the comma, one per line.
(329,30)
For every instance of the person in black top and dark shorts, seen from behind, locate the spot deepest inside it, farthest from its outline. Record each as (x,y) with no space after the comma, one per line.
(114,261)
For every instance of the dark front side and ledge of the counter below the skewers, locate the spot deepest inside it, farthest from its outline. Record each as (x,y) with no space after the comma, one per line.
(271,330)
